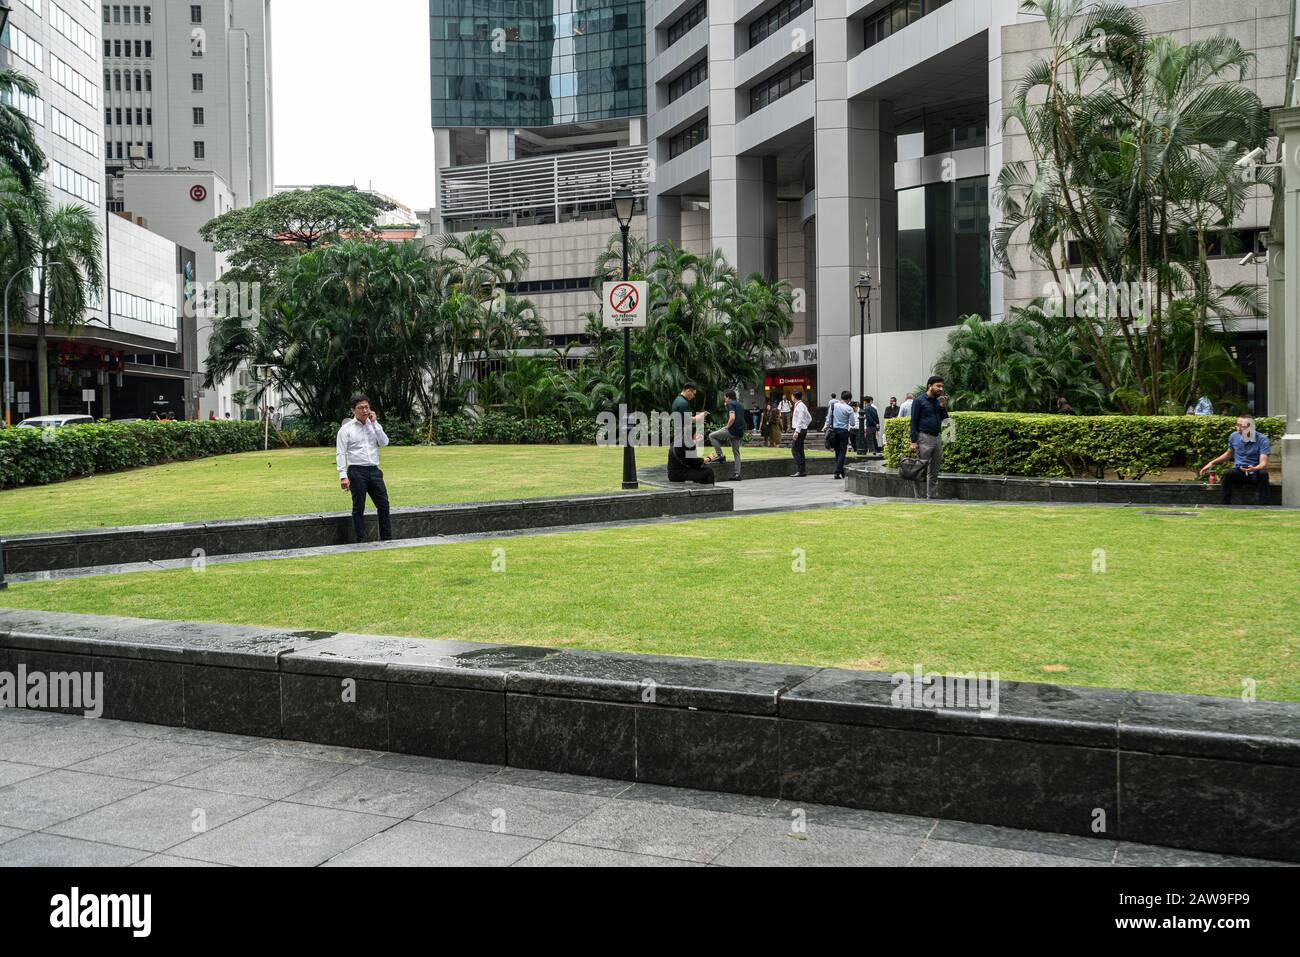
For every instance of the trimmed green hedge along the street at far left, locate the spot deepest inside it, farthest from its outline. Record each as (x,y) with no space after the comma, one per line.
(40,457)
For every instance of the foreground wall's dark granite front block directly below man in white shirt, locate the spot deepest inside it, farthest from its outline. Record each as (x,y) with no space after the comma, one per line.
(350,713)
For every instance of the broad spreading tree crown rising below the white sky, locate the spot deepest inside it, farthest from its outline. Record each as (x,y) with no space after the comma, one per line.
(274,232)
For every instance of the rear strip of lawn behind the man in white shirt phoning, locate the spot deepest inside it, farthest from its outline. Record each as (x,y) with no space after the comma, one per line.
(289,482)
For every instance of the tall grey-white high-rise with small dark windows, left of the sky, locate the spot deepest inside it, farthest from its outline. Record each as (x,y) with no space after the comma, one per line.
(188,86)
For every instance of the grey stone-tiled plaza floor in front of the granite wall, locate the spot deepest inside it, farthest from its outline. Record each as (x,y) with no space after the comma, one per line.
(83,793)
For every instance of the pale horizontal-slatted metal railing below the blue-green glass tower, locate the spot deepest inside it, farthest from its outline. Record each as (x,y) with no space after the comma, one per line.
(545,187)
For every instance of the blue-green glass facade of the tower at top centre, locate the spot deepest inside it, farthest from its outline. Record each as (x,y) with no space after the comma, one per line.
(536,63)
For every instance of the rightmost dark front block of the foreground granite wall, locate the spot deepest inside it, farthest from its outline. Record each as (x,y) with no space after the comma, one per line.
(1229,807)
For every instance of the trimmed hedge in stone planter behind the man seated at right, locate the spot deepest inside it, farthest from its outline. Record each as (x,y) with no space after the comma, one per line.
(1060,447)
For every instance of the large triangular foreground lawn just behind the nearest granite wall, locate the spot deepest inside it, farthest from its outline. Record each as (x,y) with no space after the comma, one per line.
(1185,604)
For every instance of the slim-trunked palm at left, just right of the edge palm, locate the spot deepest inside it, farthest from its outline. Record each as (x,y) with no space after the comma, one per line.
(68,256)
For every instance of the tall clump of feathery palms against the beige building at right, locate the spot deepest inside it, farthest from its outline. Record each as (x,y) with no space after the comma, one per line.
(1134,141)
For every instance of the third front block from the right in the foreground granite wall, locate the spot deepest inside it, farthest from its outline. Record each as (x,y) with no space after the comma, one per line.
(879,769)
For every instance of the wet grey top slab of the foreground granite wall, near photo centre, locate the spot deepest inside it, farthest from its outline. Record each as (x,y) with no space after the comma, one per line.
(714,686)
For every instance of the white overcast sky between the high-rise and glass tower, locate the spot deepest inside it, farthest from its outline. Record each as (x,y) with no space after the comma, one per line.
(352,96)
